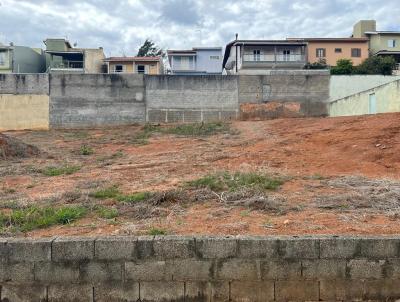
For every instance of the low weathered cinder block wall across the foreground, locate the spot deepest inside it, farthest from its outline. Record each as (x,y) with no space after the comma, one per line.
(208,269)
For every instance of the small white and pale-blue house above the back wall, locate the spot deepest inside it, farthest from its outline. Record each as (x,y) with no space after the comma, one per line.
(197,61)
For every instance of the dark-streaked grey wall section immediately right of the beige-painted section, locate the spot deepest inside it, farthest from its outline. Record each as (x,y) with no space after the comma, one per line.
(90,100)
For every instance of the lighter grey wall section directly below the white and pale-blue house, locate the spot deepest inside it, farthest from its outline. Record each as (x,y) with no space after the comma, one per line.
(191,98)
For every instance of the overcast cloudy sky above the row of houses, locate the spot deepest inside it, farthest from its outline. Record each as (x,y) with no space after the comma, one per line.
(120,26)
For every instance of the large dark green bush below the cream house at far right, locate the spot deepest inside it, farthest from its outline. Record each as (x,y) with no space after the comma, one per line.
(376,65)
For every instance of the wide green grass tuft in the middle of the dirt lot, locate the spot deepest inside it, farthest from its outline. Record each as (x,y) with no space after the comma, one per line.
(226,181)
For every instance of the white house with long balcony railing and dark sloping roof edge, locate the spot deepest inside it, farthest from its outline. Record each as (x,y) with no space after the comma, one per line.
(258,56)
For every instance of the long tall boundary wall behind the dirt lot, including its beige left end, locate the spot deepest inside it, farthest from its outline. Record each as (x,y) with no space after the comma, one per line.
(91,100)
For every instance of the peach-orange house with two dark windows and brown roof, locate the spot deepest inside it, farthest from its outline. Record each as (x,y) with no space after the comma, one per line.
(330,50)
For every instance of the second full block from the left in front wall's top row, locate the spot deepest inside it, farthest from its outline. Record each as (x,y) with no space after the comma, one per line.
(73,249)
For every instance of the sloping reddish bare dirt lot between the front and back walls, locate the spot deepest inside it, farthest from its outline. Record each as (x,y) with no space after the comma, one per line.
(340,176)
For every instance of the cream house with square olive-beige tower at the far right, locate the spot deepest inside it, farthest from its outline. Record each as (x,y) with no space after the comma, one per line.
(381,43)
